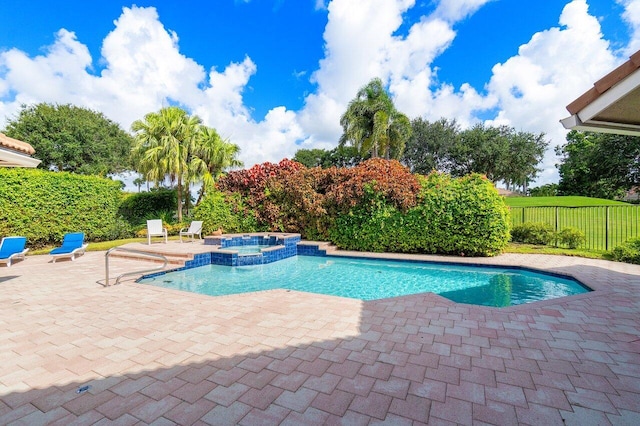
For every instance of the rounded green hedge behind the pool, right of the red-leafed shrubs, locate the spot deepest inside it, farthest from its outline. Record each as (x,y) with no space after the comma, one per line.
(463,216)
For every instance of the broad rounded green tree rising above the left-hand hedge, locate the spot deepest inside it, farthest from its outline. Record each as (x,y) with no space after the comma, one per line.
(73,139)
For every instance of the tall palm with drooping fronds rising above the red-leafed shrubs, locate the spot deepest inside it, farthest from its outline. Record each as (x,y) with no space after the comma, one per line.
(373,125)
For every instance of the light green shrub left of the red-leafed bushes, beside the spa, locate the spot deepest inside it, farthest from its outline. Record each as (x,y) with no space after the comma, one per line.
(226,211)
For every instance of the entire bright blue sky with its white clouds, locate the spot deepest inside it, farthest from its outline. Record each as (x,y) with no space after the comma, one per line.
(274,75)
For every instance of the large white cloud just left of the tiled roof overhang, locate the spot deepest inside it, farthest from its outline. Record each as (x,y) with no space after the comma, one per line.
(550,71)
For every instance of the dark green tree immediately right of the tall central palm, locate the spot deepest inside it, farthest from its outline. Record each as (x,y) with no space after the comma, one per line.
(429,146)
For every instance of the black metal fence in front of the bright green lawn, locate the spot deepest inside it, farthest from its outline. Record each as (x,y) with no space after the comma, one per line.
(605,227)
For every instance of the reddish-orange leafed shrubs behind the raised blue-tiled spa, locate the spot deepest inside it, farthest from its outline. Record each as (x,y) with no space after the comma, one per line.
(289,197)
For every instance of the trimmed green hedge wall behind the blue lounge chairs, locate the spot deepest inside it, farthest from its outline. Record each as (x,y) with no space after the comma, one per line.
(43,206)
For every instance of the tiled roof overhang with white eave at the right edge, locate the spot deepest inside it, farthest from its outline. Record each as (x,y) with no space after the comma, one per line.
(612,105)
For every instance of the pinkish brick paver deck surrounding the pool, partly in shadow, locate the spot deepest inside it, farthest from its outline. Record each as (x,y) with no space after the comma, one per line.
(157,356)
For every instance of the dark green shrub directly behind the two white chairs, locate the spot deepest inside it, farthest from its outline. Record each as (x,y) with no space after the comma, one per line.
(137,208)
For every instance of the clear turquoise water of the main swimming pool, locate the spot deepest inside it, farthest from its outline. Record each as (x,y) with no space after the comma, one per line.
(370,279)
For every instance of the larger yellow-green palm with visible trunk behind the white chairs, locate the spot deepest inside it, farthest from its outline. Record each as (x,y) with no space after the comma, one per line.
(164,142)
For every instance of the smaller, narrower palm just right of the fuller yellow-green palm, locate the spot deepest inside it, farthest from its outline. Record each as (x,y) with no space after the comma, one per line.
(212,155)
